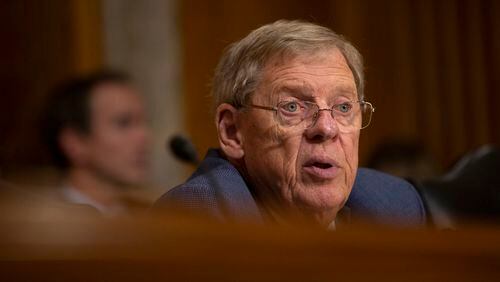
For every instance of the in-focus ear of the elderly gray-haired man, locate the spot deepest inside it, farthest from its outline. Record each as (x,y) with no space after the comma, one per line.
(228,131)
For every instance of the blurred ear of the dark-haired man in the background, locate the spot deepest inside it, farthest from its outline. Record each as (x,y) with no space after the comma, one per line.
(73,145)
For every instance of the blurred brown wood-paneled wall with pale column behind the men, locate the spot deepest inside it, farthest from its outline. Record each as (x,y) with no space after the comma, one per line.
(431,66)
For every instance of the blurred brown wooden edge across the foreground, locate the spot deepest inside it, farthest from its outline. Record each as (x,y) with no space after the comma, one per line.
(186,248)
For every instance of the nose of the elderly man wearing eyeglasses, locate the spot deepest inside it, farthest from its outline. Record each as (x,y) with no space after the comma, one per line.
(324,128)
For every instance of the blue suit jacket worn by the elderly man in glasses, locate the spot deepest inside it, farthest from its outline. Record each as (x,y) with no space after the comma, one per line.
(216,188)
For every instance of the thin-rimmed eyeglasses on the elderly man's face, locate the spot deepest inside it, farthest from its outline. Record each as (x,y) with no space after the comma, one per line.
(349,115)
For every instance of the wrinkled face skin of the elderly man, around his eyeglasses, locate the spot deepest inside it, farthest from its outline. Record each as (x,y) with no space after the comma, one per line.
(294,168)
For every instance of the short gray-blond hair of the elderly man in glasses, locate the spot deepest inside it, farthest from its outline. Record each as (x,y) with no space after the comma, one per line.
(239,70)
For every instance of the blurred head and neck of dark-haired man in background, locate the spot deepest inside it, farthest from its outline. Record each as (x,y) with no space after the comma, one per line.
(96,132)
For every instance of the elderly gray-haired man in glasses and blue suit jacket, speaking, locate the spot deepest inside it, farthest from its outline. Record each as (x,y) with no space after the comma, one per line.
(289,107)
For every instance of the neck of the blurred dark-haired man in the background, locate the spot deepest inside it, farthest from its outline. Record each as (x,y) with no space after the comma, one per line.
(95,187)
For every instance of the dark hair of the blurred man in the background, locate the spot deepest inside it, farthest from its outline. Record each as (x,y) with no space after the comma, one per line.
(68,106)
